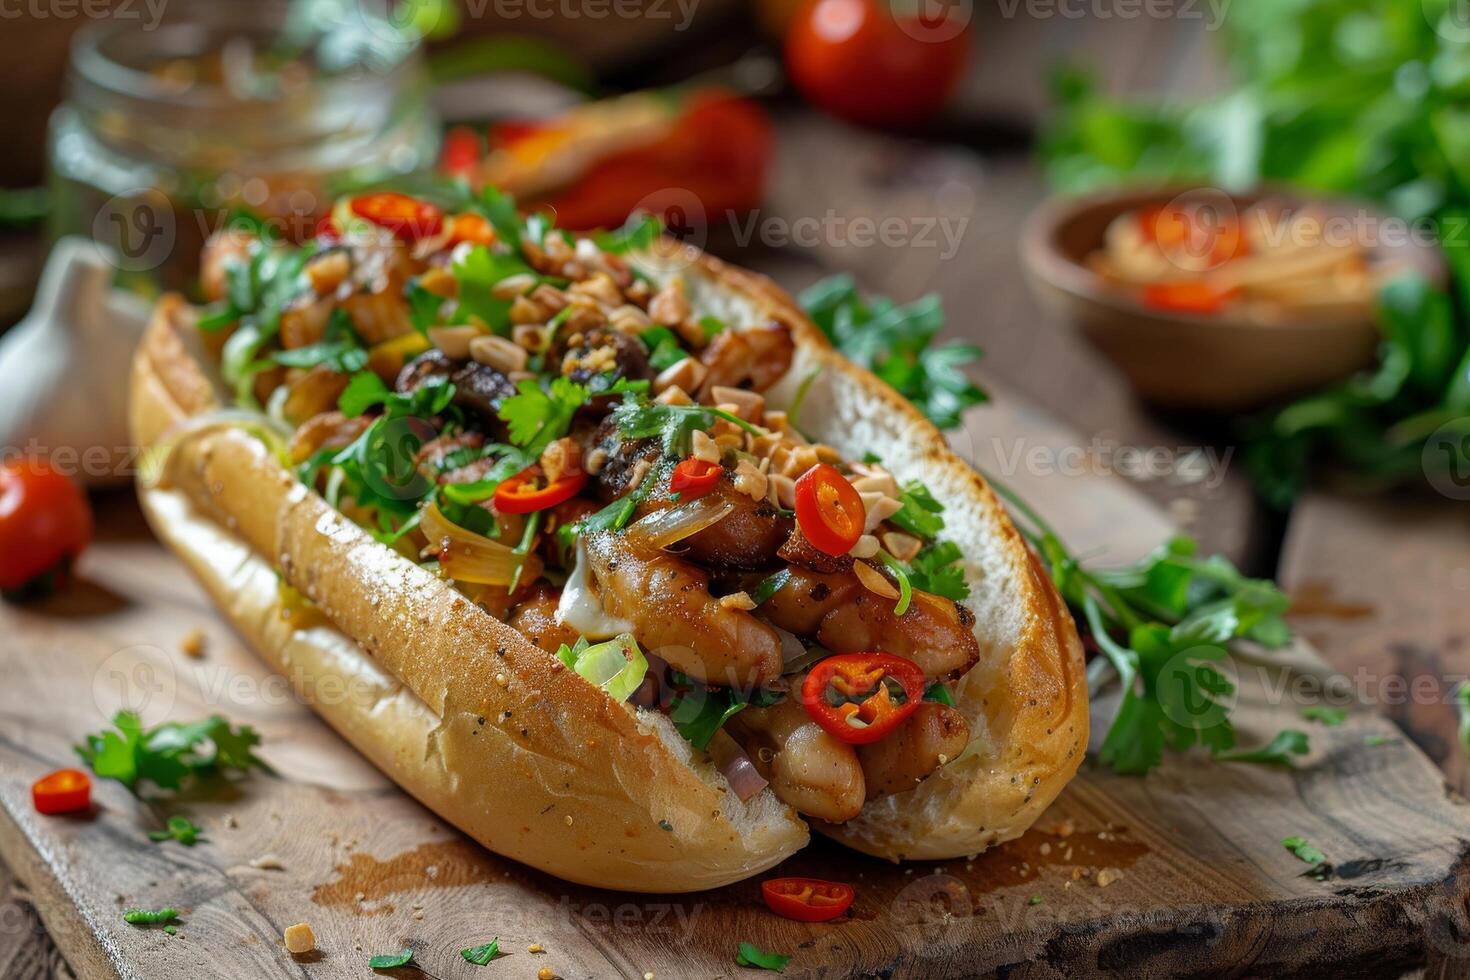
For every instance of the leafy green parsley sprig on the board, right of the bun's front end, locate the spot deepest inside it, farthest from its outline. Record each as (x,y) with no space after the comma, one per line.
(1165,627)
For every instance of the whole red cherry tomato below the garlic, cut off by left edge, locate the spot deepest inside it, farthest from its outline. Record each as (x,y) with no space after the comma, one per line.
(45,525)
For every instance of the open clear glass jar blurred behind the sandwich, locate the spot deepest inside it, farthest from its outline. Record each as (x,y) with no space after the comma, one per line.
(170,133)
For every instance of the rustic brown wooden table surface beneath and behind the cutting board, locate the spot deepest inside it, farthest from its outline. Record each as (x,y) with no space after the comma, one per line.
(1383,587)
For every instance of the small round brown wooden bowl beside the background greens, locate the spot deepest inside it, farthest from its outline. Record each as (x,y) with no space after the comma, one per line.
(1218,364)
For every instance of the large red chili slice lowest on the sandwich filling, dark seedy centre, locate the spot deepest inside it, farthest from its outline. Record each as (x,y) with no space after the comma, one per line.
(859,699)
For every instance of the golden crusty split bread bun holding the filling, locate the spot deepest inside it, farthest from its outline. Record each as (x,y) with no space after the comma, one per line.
(526,756)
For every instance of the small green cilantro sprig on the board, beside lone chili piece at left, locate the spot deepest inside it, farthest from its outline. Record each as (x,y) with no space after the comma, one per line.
(170,754)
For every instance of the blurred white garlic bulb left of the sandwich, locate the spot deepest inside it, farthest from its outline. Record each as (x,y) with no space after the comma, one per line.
(64,370)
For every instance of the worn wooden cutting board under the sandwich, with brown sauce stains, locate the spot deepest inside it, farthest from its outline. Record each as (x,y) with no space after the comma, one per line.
(1177,873)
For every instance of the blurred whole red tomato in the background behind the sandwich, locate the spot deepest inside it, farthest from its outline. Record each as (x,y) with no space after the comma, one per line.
(867,62)
